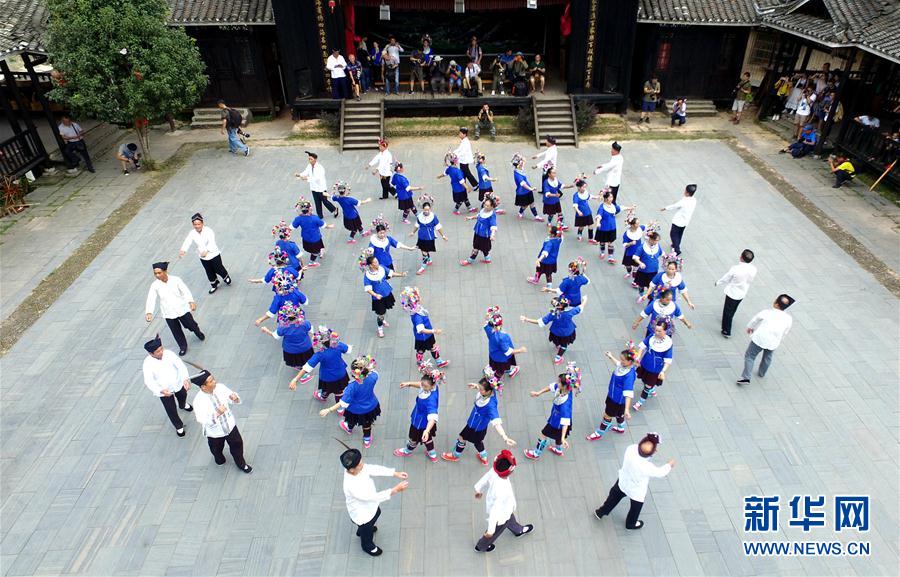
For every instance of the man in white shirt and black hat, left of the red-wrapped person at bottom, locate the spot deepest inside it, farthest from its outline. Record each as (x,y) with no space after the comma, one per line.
(362,497)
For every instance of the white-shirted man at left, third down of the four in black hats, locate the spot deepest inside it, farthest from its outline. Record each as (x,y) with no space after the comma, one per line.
(167,378)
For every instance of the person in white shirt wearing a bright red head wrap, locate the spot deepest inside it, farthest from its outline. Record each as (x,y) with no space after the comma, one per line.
(499,502)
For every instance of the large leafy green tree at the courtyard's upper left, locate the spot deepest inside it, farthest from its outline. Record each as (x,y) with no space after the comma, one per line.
(120,62)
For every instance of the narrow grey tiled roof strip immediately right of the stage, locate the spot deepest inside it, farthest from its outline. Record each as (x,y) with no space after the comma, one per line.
(697,11)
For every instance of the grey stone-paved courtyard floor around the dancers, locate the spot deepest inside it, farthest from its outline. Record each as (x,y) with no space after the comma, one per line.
(95,482)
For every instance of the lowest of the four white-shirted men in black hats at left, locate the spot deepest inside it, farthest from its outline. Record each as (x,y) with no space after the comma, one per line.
(212,410)
